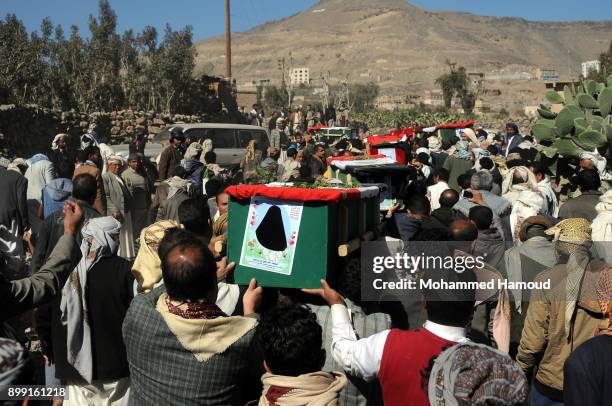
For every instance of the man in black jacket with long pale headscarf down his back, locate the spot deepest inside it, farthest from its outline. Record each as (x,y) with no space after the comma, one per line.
(94,301)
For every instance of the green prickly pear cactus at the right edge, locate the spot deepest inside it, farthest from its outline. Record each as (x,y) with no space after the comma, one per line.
(584,123)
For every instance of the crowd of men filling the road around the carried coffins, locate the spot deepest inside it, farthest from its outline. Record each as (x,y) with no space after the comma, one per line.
(124,263)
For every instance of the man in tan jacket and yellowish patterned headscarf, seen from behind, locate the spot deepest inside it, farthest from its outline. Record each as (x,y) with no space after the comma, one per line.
(561,318)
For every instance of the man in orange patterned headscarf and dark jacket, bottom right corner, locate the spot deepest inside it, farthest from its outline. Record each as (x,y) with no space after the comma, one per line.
(588,371)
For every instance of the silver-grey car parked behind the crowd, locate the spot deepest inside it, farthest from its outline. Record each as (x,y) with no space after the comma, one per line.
(229,140)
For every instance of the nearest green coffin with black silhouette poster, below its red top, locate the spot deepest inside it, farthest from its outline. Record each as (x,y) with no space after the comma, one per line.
(323,227)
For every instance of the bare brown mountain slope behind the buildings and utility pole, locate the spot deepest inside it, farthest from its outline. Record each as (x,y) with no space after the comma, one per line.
(404,47)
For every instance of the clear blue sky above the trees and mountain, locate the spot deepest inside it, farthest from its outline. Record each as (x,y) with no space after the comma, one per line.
(208,16)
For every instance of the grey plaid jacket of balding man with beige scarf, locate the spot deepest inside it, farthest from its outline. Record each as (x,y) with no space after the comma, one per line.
(163,372)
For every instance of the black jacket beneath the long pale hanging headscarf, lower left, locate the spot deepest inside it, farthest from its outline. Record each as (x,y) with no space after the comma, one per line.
(110,287)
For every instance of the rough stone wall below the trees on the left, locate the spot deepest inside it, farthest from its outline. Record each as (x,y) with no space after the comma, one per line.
(26,130)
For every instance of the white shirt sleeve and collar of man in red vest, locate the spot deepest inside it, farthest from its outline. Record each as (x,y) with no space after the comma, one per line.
(362,357)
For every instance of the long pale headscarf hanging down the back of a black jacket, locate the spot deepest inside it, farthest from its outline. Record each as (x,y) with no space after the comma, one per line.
(100,240)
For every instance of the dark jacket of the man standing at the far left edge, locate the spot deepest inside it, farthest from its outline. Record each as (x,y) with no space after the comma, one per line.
(13,199)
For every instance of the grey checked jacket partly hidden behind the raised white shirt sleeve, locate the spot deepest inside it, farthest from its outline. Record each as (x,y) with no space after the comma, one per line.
(357,392)
